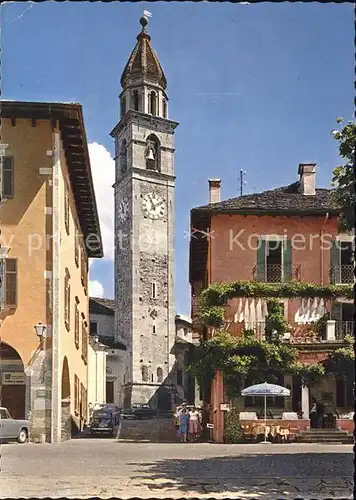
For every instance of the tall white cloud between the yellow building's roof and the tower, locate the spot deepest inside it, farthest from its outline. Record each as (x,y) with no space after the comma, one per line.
(103,172)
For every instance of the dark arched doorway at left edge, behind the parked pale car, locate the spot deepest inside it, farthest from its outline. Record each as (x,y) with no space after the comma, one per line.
(13,382)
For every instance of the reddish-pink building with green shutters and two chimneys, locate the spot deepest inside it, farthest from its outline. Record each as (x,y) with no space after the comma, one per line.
(286,234)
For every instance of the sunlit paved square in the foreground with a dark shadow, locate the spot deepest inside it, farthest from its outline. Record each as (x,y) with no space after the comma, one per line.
(106,468)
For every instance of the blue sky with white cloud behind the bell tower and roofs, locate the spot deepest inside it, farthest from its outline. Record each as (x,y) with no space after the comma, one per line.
(254,87)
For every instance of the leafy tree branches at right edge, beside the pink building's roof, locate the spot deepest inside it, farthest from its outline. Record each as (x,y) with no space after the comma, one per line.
(344,177)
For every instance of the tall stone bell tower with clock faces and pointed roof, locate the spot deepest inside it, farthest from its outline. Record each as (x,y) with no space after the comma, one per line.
(144,228)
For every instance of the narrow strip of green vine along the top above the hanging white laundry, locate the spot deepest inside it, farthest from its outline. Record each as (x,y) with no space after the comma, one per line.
(214,298)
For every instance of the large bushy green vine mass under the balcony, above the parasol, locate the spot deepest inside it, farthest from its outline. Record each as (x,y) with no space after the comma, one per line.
(241,358)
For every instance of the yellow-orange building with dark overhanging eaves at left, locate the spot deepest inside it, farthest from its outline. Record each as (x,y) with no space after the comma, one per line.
(49,229)
